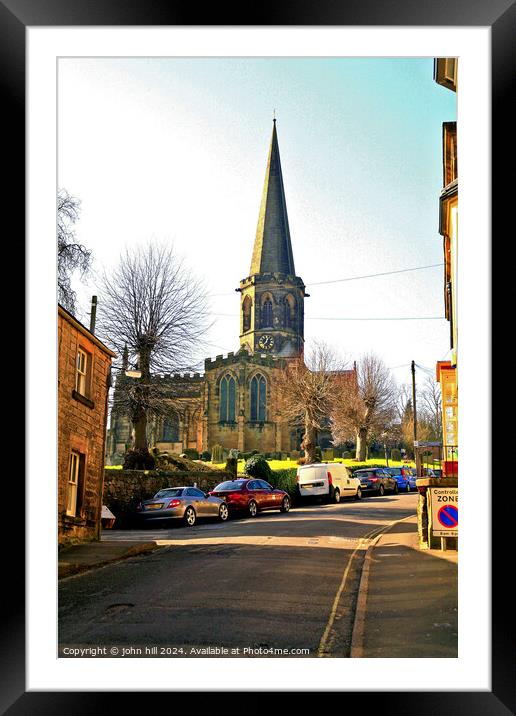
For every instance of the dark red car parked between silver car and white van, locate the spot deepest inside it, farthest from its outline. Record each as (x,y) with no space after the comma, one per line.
(251,495)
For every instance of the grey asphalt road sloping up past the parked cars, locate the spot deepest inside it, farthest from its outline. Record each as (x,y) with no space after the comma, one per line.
(284,582)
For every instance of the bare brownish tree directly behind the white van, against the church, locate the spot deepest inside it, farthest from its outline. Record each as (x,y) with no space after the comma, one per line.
(305,389)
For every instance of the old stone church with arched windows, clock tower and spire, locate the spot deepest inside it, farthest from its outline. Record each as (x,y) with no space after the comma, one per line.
(234,403)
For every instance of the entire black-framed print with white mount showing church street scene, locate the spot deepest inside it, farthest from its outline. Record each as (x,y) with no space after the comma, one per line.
(86,87)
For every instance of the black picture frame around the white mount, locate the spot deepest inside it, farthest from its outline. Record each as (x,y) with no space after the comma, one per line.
(15,17)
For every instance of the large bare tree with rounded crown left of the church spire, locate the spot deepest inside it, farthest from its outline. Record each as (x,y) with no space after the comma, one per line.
(154,311)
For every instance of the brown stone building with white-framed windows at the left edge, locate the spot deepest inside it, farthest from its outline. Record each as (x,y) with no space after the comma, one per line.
(84,365)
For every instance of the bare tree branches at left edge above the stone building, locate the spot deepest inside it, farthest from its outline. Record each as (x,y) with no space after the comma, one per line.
(71,256)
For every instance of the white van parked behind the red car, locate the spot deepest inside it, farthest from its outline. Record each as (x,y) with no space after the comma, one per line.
(331,481)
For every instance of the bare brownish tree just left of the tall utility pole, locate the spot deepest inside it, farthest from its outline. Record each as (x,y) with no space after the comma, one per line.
(364,405)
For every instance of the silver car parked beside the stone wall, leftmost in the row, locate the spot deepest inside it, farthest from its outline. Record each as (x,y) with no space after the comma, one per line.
(181,503)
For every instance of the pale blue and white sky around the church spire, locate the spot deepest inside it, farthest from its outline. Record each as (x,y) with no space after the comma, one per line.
(175,150)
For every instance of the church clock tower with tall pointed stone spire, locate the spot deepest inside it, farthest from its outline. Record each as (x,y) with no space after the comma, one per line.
(272,296)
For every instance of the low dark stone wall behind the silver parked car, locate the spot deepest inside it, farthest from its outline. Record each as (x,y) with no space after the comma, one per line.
(124,489)
